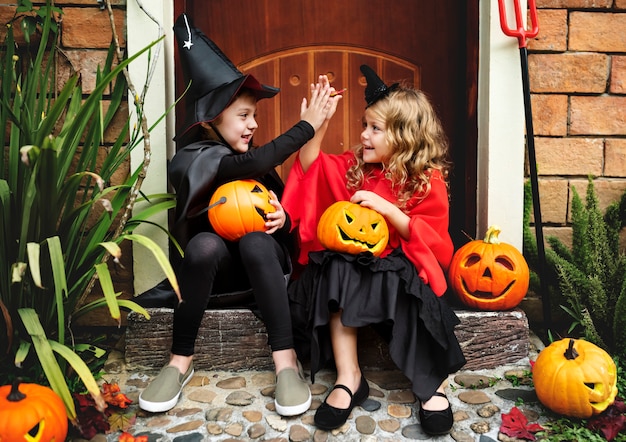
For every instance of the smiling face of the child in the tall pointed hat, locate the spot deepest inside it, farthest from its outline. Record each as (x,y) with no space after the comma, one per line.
(237,123)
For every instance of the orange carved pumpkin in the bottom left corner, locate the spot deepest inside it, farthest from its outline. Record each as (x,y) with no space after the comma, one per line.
(31,412)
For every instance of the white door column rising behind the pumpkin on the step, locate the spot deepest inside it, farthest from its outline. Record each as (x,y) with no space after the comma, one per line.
(500,127)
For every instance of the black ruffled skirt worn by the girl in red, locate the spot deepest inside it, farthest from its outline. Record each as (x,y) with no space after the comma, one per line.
(384,292)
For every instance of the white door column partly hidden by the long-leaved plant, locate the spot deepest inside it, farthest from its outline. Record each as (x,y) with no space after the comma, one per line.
(141,30)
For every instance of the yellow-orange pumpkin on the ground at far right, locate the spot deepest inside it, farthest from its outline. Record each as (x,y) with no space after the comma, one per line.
(575,378)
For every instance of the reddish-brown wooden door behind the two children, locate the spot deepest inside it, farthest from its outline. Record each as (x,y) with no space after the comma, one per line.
(431,44)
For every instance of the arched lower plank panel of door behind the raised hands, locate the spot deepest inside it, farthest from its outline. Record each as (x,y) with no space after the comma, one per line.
(297,69)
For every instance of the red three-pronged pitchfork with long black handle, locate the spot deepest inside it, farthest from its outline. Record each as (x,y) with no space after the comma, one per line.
(522,34)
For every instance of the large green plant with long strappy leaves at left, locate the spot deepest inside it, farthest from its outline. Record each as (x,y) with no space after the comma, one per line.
(60,215)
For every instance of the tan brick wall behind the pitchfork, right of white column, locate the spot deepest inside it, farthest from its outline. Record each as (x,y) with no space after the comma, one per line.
(577,68)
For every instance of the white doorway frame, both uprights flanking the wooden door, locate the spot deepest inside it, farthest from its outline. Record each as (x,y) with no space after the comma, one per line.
(499,109)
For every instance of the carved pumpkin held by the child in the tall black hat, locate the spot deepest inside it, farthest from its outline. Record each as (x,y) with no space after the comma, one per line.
(239,207)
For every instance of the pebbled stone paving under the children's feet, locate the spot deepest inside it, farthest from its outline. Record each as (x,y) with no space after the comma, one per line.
(238,406)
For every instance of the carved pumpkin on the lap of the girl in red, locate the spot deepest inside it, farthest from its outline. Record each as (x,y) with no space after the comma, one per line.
(351,228)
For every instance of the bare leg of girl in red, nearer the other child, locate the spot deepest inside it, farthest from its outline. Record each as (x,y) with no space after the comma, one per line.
(344,343)
